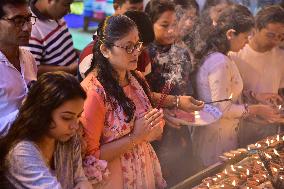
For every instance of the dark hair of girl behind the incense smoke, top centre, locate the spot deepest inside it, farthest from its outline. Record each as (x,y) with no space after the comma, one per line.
(155,8)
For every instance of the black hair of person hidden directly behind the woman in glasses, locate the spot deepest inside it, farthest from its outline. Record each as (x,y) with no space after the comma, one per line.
(144,25)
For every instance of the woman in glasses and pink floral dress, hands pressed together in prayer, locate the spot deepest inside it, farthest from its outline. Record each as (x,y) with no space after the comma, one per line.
(118,117)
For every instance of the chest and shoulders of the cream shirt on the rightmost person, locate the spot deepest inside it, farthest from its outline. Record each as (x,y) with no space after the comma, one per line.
(261,72)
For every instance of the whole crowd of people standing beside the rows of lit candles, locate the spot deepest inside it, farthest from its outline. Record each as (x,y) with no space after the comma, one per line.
(99,118)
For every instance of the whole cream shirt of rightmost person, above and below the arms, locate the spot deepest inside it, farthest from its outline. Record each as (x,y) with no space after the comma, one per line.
(262,72)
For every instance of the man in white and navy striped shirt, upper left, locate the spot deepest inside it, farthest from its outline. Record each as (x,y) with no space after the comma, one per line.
(51,42)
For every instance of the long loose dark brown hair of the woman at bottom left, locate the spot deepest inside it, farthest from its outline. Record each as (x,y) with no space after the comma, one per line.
(49,92)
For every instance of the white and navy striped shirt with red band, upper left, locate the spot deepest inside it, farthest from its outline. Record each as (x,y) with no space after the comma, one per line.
(51,42)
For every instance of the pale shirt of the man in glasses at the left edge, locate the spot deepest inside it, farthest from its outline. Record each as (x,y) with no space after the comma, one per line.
(13,86)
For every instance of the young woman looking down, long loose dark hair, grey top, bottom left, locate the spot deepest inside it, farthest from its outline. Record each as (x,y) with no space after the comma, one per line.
(41,149)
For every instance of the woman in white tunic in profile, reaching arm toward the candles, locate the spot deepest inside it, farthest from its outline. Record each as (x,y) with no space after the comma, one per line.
(218,78)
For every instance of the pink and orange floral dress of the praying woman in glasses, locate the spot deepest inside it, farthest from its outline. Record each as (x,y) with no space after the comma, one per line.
(137,168)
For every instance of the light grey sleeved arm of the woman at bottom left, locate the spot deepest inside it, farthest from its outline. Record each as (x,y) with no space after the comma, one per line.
(26,168)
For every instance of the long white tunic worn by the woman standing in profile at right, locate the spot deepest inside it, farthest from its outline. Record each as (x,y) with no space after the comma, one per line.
(217,79)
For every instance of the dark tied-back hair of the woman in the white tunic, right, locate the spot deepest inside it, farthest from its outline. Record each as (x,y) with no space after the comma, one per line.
(208,38)
